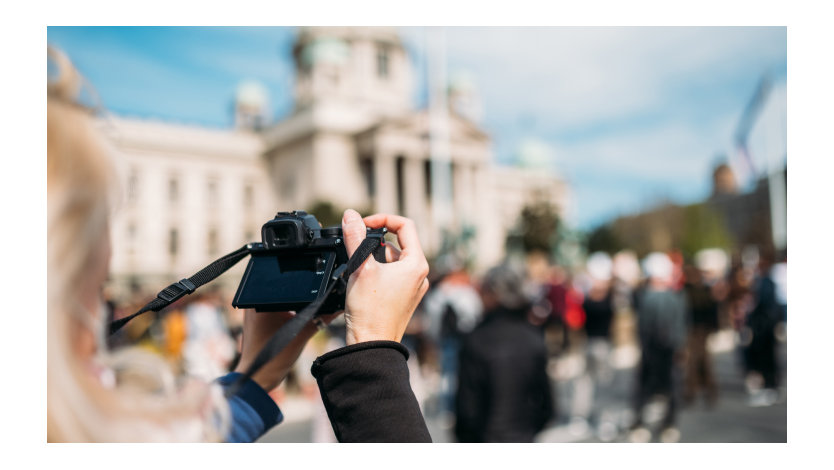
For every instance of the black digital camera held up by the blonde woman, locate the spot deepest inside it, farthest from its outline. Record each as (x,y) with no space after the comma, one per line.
(292,266)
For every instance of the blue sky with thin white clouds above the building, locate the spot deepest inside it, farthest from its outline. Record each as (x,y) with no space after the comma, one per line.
(628,115)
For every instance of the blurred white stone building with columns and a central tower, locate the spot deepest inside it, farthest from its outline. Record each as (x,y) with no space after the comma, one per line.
(353,139)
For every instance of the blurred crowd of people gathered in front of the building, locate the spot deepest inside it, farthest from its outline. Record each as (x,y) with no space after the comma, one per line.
(530,345)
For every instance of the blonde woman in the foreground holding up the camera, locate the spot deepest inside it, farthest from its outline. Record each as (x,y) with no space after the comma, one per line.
(95,394)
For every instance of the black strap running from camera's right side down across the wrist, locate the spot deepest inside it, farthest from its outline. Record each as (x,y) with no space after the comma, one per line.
(373,243)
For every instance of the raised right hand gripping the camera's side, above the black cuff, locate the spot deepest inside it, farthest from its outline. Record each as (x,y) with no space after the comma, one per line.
(382,297)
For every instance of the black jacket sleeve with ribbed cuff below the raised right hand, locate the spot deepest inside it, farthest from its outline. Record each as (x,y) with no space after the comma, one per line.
(367,395)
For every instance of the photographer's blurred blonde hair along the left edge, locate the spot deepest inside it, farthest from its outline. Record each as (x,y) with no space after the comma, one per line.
(127,396)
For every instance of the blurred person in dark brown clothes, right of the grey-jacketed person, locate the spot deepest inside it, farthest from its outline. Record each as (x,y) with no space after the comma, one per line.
(702,320)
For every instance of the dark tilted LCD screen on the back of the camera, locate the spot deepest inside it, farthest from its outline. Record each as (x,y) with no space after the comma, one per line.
(284,281)
